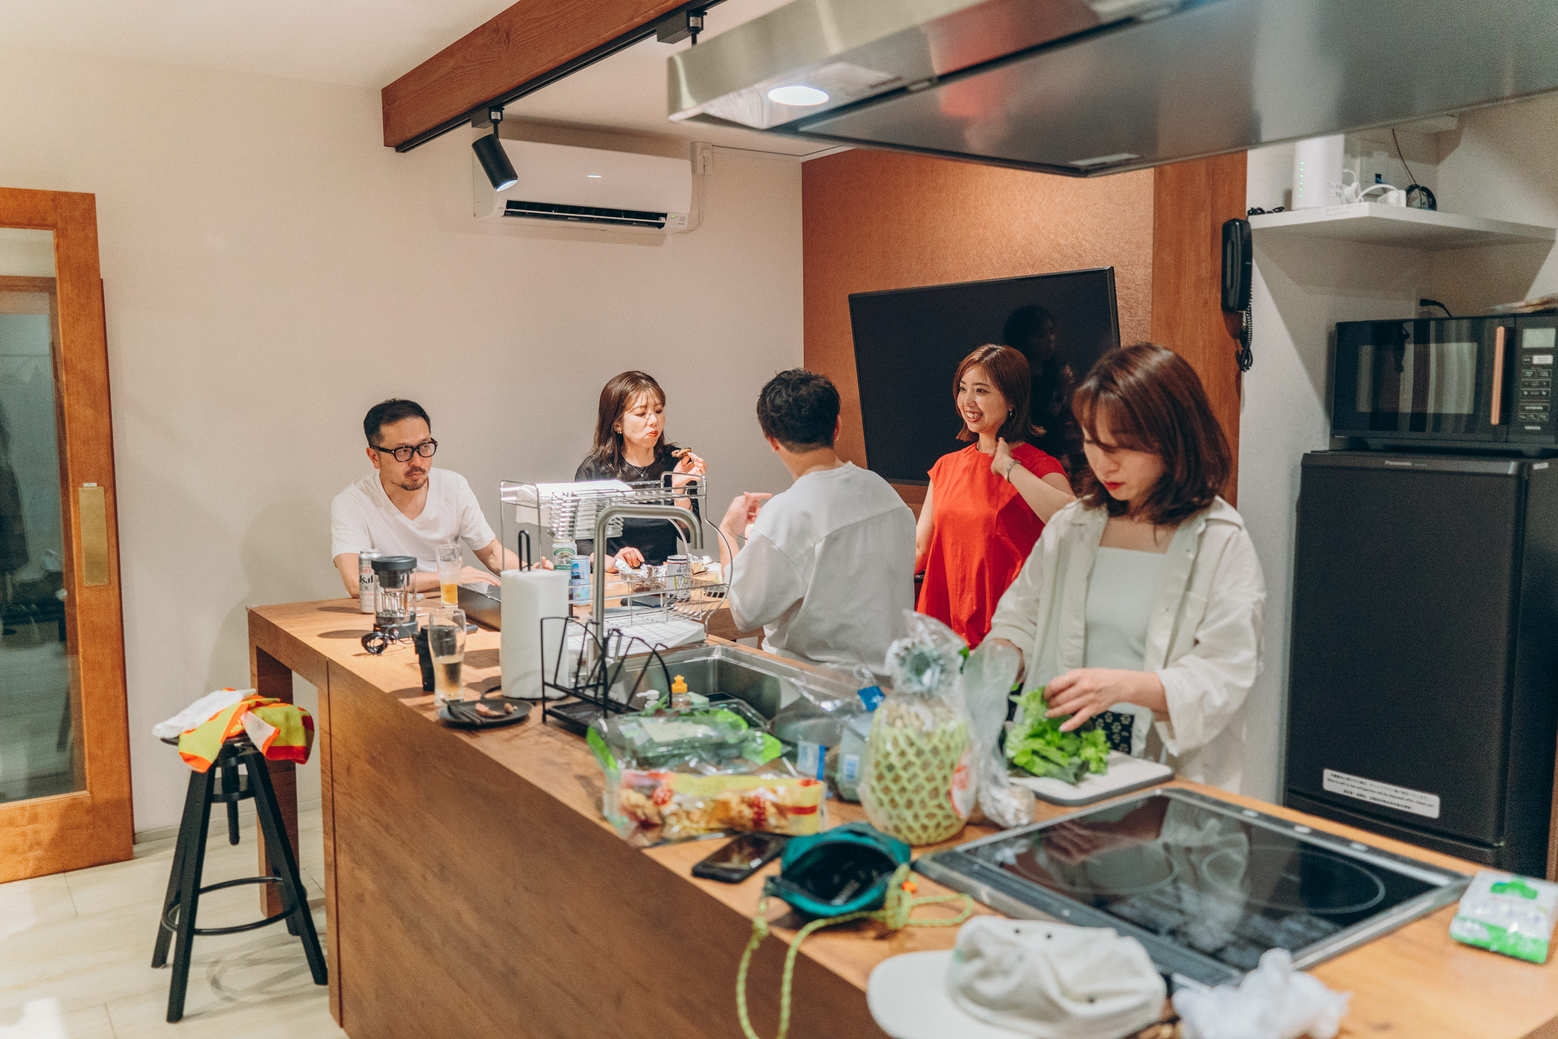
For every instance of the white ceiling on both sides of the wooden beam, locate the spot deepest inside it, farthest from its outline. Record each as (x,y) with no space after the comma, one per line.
(367,44)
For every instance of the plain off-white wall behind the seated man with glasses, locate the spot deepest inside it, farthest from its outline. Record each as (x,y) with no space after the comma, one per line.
(272,270)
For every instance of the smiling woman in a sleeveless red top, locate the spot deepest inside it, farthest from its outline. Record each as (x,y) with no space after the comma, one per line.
(987,504)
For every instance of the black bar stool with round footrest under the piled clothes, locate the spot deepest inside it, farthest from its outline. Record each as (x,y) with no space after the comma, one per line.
(189,859)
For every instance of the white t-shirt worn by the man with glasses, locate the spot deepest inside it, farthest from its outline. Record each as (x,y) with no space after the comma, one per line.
(364,518)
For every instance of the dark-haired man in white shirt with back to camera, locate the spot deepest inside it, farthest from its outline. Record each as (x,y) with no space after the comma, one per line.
(828,569)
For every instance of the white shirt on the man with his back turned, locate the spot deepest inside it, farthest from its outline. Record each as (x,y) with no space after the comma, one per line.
(828,569)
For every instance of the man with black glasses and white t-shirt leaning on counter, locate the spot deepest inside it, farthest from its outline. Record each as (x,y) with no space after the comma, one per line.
(406,507)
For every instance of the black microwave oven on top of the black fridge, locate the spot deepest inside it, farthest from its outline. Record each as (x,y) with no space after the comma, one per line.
(1478,384)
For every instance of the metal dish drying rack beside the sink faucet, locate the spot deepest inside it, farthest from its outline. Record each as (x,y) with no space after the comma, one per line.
(650,610)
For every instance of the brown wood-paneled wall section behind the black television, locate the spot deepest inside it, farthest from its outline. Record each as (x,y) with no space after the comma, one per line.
(879,220)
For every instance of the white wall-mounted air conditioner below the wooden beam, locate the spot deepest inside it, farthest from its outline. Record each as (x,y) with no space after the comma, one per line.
(560,185)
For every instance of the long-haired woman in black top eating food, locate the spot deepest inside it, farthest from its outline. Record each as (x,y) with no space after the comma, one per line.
(632,446)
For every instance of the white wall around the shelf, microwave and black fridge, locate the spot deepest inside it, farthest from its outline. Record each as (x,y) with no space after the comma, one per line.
(1500,164)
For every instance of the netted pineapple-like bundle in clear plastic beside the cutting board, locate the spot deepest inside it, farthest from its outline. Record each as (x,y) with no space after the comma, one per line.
(917,780)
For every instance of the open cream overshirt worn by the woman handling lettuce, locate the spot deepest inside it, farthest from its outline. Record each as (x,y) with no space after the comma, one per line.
(1204,635)
